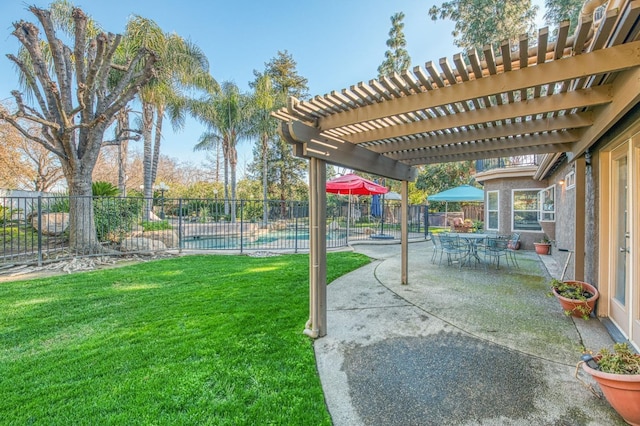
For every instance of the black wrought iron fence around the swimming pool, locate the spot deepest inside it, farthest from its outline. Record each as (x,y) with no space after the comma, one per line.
(39,229)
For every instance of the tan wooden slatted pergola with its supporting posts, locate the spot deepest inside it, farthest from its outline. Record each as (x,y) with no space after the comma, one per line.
(555,96)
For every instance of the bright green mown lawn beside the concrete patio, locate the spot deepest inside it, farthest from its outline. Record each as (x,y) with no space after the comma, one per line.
(192,340)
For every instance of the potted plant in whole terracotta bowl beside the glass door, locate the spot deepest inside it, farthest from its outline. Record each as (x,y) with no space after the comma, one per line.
(577,298)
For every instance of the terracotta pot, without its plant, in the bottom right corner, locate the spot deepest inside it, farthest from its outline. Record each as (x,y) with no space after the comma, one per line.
(622,392)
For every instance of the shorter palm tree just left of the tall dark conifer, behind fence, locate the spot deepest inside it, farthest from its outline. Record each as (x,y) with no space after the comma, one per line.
(227,117)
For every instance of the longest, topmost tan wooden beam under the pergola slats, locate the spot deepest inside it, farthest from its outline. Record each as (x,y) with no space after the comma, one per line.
(603,61)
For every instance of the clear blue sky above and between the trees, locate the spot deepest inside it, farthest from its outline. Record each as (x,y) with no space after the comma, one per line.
(336,43)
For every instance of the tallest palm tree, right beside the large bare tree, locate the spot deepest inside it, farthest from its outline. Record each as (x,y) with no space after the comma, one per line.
(182,66)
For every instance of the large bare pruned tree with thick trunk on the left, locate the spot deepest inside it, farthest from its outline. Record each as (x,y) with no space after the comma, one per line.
(74,102)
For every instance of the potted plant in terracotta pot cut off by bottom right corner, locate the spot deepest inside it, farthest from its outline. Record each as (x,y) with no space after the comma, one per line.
(617,373)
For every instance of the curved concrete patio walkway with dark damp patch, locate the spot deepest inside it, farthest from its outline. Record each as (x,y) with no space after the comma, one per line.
(457,346)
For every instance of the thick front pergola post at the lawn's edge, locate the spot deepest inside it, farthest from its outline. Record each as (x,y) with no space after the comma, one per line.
(317,324)
